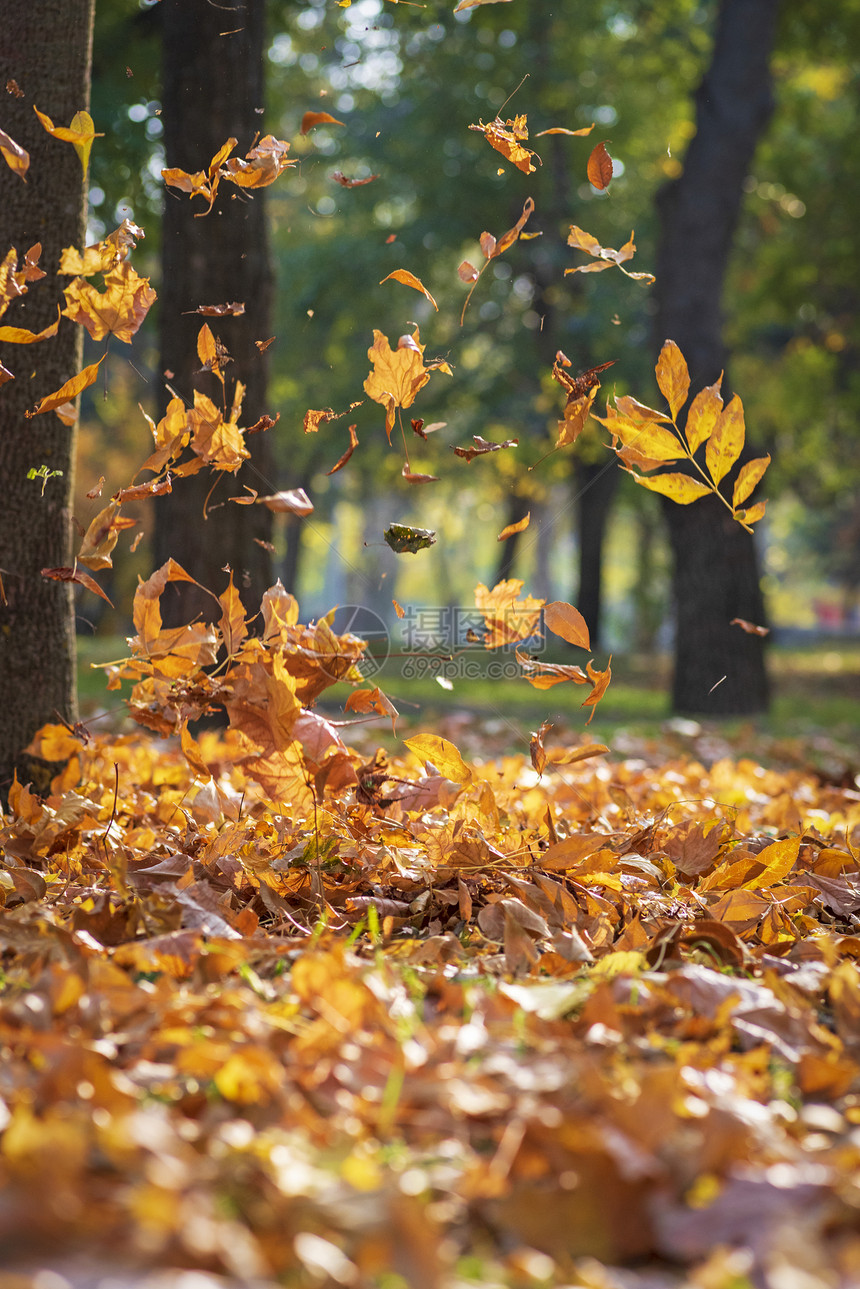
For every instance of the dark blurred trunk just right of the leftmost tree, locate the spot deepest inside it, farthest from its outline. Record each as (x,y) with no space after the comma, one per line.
(213,91)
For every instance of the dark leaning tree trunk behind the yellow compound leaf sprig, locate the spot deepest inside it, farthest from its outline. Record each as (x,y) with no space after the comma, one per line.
(716,573)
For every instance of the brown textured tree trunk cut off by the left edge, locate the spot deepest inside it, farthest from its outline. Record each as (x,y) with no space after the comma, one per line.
(46,47)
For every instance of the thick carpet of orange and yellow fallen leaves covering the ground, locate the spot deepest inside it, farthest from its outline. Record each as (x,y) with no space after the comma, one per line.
(275,1011)
